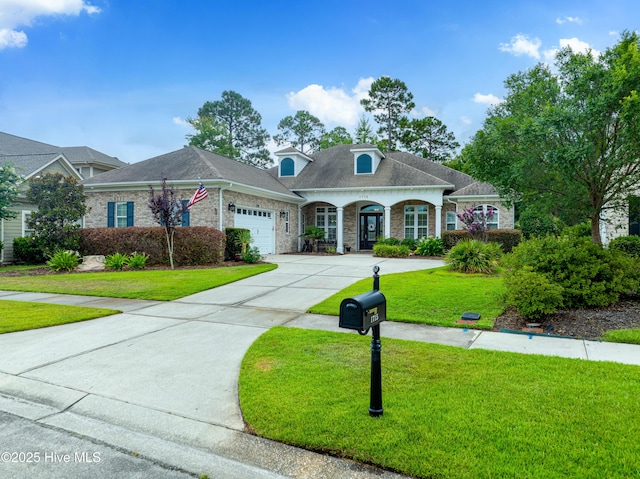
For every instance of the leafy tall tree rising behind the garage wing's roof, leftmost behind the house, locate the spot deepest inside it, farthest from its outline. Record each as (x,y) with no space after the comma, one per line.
(231,127)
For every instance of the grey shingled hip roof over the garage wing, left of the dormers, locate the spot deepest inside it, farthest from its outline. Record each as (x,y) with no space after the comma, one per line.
(191,164)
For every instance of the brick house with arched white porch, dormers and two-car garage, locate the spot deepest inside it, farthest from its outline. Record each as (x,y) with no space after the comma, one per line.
(354,192)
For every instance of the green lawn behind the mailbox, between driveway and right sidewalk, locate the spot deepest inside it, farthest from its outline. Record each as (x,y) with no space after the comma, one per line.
(435,296)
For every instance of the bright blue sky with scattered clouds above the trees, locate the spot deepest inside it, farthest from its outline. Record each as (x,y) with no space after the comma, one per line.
(121,76)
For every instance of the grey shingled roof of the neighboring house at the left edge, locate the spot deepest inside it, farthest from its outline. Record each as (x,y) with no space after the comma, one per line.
(31,156)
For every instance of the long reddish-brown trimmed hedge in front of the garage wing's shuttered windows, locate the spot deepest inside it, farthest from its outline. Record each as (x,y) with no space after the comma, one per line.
(193,246)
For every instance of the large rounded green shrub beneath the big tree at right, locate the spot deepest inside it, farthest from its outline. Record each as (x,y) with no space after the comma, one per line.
(588,274)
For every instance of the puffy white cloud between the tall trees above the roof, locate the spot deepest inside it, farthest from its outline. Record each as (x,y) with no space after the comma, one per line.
(331,105)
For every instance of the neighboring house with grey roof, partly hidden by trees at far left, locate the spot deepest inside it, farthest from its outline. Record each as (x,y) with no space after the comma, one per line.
(31,159)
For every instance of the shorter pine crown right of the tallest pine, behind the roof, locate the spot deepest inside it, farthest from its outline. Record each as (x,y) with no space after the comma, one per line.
(428,137)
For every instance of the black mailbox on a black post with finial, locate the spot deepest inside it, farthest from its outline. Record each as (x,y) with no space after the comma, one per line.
(363,312)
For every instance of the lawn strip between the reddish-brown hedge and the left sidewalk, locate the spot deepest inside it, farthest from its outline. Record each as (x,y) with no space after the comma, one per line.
(160,285)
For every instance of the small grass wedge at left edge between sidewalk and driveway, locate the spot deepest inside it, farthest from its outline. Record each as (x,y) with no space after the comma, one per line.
(21,316)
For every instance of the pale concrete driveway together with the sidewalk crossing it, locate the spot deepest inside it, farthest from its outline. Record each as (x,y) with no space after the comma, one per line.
(160,379)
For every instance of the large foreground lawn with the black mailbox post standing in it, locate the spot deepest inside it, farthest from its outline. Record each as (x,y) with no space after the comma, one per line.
(448,412)
